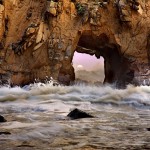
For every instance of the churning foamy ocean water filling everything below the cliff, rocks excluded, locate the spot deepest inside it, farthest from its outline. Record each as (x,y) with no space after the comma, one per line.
(37,117)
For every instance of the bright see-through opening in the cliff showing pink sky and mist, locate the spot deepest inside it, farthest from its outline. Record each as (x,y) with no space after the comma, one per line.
(88,69)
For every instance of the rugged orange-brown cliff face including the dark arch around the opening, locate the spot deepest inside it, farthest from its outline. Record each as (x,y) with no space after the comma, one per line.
(38,38)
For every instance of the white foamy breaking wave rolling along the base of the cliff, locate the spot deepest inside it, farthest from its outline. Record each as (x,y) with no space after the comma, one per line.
(138,96)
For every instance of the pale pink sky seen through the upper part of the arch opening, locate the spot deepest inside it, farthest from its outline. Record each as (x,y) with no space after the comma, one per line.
(87,62)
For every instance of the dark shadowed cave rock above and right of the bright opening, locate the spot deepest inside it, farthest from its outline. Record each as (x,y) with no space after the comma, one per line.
(116,66)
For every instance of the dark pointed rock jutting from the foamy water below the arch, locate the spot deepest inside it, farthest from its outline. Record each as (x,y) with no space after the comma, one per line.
(78,114)
